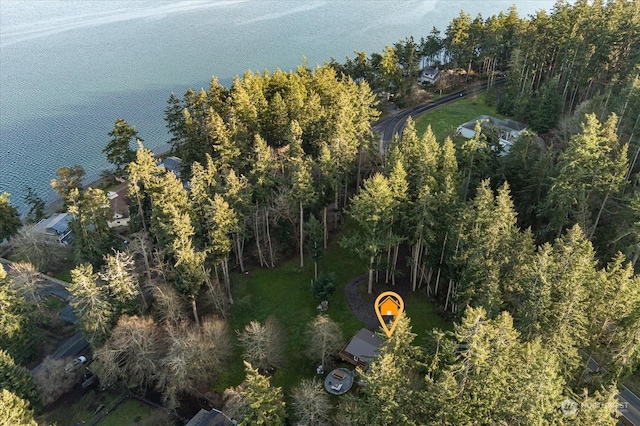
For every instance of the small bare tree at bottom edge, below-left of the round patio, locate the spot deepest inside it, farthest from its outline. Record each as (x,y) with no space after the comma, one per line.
(311,405)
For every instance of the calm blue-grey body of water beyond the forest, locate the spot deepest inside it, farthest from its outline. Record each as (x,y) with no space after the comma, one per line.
(69,68)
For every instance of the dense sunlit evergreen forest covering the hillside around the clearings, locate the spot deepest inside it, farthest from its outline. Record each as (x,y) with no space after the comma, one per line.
(533,254)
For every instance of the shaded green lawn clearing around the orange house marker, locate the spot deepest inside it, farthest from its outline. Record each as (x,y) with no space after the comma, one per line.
(285,293)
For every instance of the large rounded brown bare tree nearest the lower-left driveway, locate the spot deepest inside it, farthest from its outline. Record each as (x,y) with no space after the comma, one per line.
(133,353)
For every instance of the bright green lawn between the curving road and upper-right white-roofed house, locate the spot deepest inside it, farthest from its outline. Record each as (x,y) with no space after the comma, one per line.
(445,120)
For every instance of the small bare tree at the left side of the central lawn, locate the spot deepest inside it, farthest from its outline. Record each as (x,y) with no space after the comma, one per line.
(264,345)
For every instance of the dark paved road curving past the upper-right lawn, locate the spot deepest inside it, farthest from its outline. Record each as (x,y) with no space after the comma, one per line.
(394,125)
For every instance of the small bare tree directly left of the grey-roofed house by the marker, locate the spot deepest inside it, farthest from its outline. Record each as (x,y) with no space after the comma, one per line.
(325,339)
